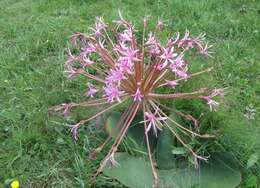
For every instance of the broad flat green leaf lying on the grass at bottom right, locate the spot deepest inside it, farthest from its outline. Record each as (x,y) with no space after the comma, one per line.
(219,171)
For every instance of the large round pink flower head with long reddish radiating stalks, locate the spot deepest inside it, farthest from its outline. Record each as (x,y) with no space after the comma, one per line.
(122,66)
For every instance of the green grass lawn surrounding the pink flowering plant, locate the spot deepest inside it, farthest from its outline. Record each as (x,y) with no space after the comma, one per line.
(37,148)
